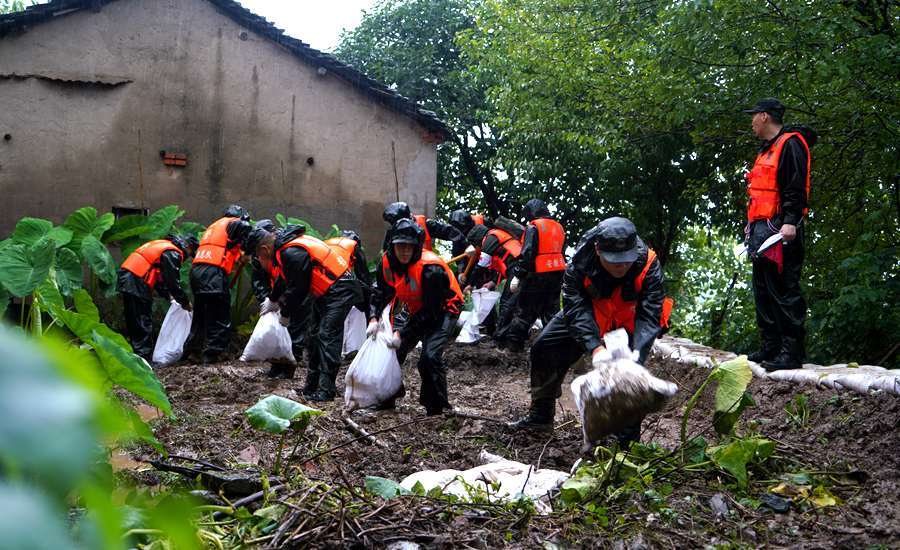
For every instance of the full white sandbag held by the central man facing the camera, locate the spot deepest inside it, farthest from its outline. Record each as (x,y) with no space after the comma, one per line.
(374,375)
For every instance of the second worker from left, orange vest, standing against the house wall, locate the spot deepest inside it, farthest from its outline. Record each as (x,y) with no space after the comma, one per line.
(217,256)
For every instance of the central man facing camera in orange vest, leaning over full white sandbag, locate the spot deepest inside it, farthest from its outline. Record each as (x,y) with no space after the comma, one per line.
(423,282)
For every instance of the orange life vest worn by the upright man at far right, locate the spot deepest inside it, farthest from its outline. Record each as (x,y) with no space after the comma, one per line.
(762,181)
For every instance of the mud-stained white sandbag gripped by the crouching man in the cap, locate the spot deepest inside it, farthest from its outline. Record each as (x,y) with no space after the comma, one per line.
(618,393)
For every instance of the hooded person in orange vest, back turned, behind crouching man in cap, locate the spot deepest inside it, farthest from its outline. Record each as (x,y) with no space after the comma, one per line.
(537,276)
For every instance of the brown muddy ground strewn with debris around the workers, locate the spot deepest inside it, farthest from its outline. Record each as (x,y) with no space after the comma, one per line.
(843,432)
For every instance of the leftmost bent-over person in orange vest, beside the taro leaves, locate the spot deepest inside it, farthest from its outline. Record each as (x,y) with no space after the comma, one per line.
(155,265)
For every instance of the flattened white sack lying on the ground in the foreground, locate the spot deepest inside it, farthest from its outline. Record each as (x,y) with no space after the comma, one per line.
(513,480)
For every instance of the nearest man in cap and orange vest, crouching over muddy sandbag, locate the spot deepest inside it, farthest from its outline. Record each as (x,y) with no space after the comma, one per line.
(613,281)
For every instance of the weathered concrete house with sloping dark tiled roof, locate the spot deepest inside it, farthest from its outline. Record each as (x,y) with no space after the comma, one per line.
(136,104)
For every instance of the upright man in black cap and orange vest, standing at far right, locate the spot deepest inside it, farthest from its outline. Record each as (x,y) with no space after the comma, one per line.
(778,189)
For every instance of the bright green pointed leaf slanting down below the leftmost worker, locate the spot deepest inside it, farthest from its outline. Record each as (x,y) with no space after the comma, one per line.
(130,372)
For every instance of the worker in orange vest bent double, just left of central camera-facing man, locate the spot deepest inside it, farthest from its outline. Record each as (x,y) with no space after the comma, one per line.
(308,266)
